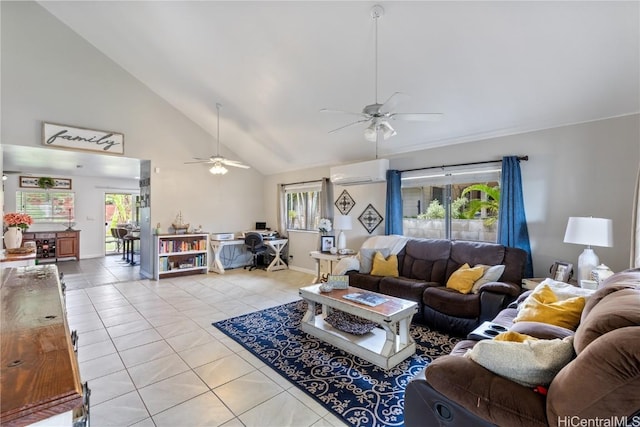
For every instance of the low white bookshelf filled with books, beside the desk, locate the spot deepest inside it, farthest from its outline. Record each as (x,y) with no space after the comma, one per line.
(180,254)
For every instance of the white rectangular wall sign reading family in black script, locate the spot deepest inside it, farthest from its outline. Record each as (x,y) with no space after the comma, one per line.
(76,138)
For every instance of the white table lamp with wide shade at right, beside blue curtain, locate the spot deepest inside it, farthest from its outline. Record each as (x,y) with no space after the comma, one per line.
(591,232)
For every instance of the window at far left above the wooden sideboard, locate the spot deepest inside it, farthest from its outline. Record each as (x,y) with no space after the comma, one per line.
(47,206)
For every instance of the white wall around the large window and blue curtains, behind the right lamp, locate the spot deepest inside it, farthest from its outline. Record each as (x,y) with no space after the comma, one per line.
(580,170)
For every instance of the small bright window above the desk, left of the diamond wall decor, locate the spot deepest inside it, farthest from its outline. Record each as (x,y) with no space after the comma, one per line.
(303,206)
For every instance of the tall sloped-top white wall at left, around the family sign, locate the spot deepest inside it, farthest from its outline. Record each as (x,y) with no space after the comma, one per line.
(51,74)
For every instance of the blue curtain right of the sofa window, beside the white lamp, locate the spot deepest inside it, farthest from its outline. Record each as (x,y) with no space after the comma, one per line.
(512,229)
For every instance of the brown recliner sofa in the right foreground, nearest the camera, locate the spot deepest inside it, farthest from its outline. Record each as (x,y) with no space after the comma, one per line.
(601,383)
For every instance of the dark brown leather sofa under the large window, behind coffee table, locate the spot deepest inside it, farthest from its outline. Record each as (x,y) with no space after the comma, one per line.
(424,265)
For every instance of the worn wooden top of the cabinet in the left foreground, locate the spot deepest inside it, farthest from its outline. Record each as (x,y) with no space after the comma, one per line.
(39,374)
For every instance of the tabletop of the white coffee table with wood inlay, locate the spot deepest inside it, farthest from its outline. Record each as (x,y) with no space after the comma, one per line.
(393,306)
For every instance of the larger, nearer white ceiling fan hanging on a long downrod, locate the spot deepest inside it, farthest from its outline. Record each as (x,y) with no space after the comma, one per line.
(379,114)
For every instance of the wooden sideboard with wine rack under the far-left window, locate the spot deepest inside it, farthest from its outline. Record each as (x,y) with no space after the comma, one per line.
(55,244)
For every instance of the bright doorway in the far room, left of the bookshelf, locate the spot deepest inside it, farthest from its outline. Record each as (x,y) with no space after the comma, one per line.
(119,211)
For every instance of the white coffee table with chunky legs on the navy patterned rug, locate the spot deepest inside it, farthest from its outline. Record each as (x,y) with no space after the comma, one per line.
(385,346)
